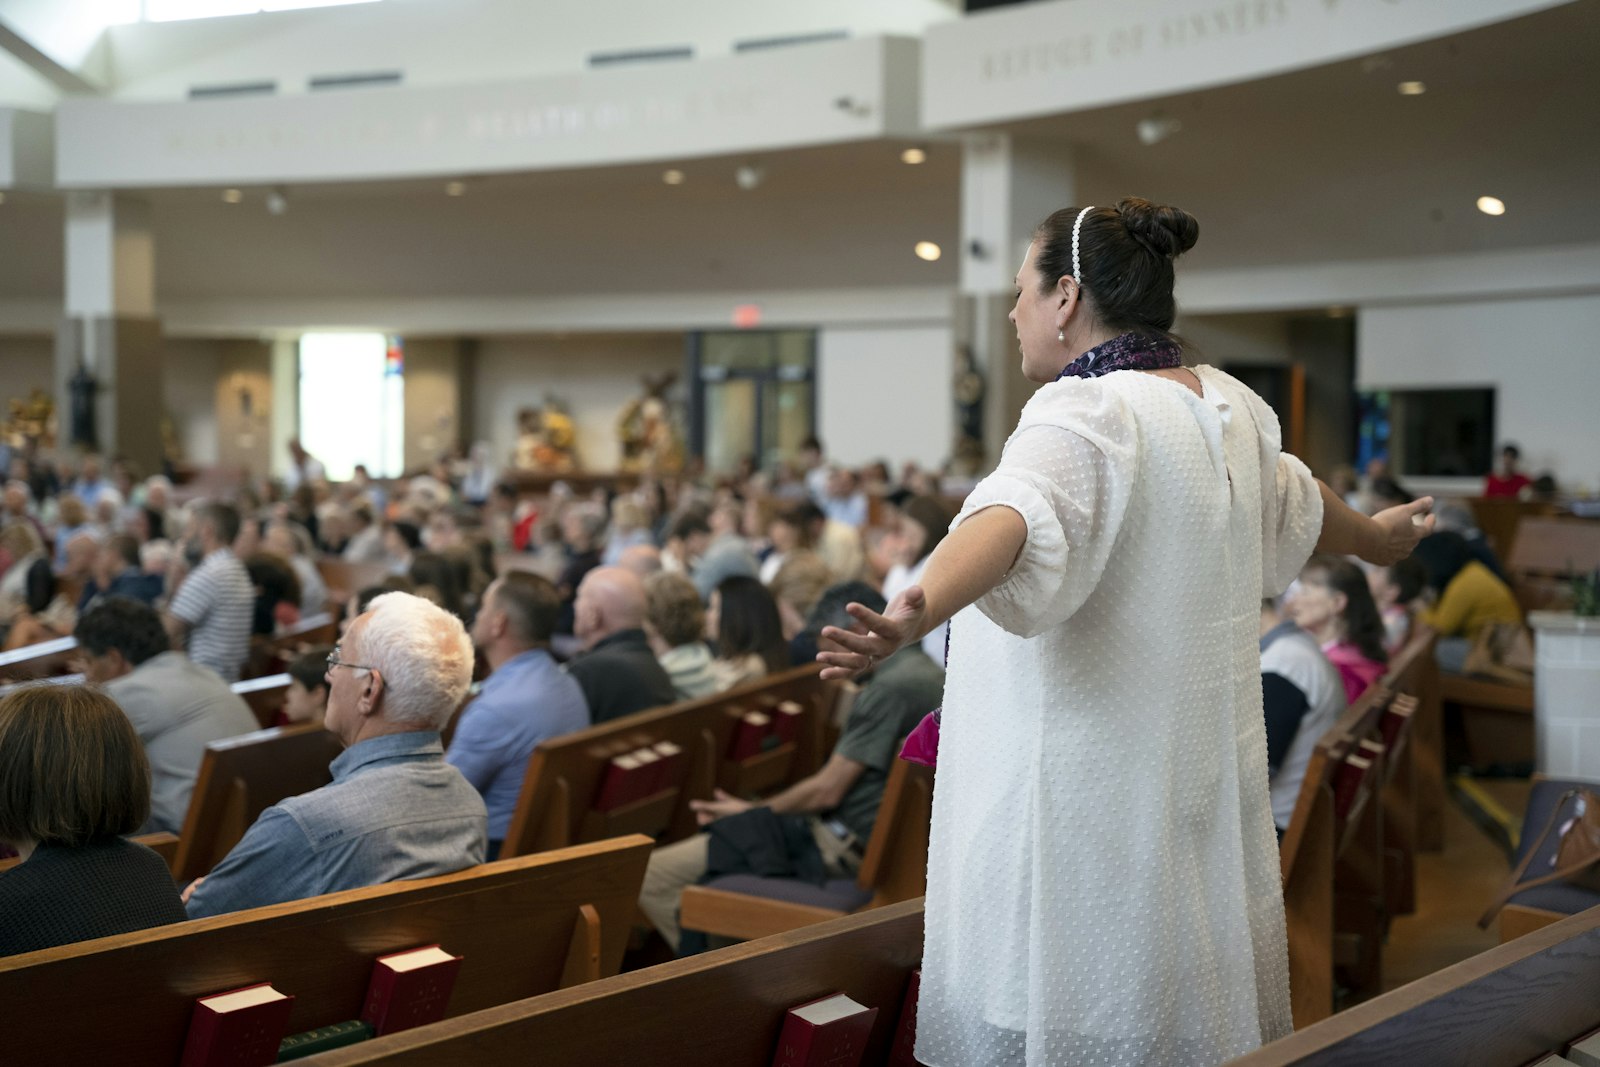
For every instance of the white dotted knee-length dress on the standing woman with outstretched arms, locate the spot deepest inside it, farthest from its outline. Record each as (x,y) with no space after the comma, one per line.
(1103,879)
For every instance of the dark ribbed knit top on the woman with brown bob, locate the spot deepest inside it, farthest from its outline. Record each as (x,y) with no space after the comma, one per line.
(65,895)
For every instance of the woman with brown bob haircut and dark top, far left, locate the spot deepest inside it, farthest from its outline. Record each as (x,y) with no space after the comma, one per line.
(73,781)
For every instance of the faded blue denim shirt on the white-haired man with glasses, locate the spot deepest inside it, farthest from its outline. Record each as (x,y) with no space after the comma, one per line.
(394,810)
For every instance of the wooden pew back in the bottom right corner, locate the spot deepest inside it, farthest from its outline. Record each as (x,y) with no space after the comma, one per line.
(1502,1009)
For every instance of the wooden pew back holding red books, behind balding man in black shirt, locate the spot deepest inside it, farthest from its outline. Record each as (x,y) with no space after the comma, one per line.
(566,773)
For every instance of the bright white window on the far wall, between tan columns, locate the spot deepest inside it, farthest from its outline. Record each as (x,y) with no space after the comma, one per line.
(353,402)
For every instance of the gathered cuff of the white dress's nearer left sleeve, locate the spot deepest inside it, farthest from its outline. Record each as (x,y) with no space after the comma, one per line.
(1023,599)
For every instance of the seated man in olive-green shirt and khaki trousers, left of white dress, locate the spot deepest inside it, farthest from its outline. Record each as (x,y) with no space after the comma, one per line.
(842,799)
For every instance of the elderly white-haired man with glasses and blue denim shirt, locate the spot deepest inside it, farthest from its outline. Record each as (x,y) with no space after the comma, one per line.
(394,810)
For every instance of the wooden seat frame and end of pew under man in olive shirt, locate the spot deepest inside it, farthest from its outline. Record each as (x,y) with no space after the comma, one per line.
(894,869)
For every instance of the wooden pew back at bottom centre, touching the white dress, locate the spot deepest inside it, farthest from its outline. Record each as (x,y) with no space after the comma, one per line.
(719,1007)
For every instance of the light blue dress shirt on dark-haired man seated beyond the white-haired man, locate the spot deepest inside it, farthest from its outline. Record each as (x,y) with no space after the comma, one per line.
(524,703)
